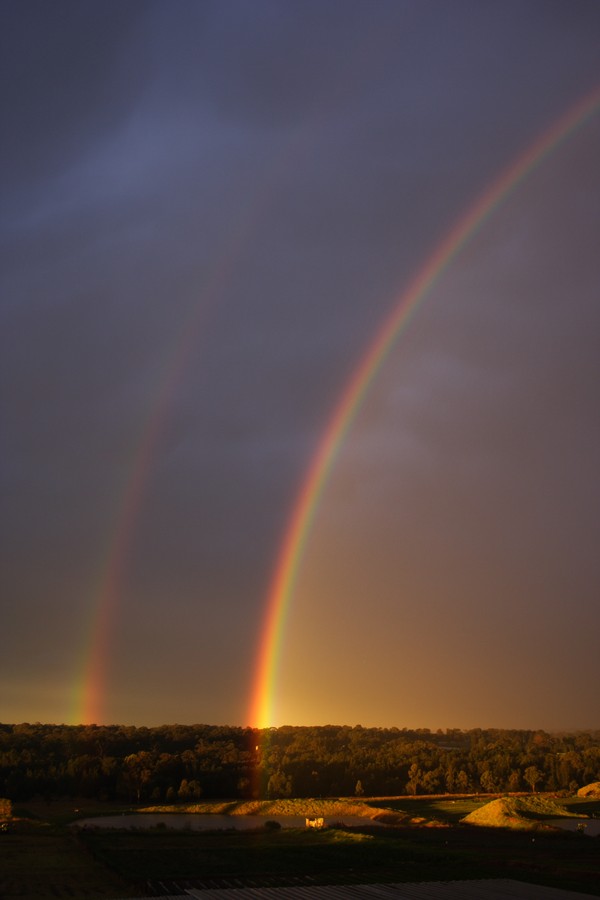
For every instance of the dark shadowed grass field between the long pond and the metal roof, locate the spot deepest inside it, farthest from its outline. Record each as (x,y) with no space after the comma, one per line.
(343,856)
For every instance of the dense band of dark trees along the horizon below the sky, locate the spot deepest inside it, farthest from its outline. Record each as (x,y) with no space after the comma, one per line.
(180,763)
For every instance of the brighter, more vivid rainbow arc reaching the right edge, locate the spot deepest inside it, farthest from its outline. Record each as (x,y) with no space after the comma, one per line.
(307,501)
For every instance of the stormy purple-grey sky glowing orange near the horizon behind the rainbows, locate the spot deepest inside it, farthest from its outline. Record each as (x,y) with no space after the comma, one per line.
(208,209)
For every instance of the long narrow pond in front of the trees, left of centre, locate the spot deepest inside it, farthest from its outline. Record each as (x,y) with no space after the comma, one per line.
(200,822)
